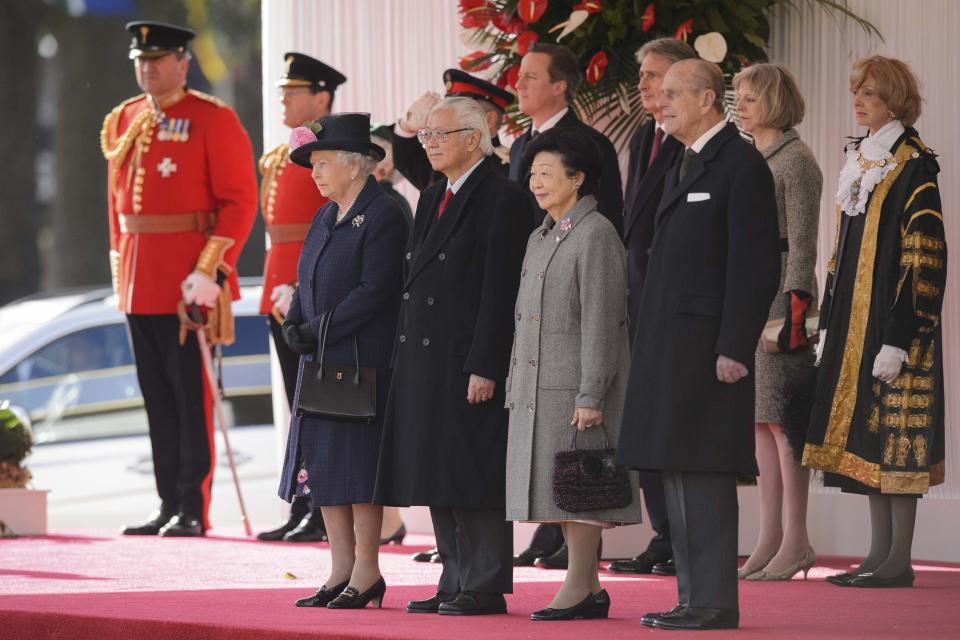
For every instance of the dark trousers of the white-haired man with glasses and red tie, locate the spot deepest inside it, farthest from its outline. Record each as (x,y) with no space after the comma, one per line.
(476,548)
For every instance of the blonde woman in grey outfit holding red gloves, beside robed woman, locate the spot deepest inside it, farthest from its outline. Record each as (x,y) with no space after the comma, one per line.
(769,105)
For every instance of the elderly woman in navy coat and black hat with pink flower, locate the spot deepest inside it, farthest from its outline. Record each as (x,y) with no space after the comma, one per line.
(350,265)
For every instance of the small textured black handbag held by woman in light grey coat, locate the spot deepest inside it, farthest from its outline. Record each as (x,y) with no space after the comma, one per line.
(589,479)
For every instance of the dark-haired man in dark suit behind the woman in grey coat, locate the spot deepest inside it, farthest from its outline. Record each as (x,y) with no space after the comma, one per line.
(547,84)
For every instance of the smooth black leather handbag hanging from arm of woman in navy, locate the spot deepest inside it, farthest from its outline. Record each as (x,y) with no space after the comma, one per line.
(335,391)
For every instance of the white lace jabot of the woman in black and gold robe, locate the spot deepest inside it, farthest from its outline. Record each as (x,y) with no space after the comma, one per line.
(866,167)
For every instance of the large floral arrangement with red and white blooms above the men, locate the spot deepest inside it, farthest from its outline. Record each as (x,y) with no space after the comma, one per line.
(605,35)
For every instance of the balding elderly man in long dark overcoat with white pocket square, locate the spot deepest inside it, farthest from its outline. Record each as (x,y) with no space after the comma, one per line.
(713,272)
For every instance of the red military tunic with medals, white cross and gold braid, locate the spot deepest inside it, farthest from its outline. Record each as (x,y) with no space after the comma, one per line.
(196,160)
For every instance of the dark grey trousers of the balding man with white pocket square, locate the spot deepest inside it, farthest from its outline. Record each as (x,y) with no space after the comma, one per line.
(703,511)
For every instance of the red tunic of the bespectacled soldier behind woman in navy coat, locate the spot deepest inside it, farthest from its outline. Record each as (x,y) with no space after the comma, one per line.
(289,199)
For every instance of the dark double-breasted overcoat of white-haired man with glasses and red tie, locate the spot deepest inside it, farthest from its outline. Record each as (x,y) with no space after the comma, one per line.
(461,274)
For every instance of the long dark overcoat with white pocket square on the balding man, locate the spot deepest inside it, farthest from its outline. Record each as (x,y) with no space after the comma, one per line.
(714,269)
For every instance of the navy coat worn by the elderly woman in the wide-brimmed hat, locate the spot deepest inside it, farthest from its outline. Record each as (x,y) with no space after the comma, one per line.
(354,268)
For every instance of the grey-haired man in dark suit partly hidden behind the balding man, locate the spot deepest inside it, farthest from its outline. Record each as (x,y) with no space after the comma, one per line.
(652,153)
